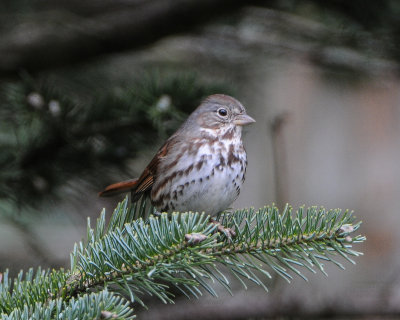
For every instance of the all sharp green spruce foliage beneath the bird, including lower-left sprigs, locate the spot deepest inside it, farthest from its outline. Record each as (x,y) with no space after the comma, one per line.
(153,255)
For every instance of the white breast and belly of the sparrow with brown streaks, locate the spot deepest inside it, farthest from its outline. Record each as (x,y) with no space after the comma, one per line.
(204,175)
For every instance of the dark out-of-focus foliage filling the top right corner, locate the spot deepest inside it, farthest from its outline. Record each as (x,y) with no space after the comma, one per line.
(372,26)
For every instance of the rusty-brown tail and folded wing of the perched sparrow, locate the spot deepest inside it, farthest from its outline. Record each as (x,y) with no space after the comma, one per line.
(143,183)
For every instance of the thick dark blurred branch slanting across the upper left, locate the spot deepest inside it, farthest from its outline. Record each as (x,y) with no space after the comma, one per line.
(56,38)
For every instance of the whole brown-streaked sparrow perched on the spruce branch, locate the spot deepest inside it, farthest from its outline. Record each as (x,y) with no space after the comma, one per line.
(201,167)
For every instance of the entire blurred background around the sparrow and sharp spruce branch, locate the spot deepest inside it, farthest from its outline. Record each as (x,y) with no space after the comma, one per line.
(90,89)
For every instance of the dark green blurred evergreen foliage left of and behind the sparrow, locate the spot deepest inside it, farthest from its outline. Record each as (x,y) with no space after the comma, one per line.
(50,135)
